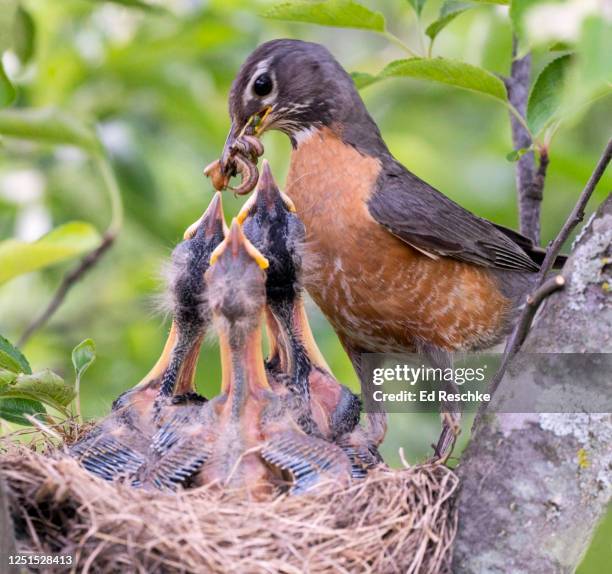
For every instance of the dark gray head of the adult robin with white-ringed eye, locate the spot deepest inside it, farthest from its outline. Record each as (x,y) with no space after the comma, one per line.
(291,86)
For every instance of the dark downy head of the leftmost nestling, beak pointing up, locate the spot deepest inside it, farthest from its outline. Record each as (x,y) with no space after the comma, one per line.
(190,260)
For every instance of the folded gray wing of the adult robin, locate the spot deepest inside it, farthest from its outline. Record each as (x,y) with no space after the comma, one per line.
(429,221)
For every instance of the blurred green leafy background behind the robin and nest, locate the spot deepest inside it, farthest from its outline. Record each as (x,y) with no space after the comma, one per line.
(134,93)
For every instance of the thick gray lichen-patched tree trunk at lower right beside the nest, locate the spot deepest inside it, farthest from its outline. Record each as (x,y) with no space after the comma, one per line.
(534,486)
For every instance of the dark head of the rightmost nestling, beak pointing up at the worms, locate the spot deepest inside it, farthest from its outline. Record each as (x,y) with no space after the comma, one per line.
(271,224)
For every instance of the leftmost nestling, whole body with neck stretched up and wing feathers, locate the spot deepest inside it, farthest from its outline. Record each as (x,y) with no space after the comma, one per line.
(118,446)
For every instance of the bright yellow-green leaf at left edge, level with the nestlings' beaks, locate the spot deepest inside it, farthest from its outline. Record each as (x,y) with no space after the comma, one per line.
(64,242)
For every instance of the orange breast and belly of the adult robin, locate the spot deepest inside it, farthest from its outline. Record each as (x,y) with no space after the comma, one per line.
(379,293)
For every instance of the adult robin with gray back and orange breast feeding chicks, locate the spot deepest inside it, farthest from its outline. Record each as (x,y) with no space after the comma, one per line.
(395,265)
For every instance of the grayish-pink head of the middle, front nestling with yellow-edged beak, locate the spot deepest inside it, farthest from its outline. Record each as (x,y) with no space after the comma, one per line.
(236,281)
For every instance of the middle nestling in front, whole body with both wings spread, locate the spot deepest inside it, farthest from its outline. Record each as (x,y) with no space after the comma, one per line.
(247,436)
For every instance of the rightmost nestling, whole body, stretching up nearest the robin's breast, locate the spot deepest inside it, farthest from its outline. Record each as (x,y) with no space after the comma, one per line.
(270,222)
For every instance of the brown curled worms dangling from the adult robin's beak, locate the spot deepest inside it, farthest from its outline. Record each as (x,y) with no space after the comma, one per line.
(242,160)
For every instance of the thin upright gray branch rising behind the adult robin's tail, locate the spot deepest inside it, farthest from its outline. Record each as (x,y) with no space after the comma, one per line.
(529,191)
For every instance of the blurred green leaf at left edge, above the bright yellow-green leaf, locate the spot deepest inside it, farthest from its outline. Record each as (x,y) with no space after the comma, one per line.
(48,125)
